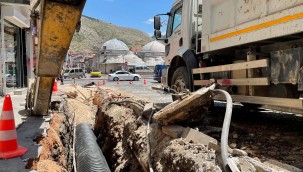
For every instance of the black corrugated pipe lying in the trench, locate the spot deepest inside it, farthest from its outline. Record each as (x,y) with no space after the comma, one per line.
(89,157)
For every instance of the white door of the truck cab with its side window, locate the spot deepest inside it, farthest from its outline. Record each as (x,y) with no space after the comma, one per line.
(174,33)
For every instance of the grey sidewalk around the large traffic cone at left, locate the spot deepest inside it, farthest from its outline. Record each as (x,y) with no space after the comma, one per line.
(28,128)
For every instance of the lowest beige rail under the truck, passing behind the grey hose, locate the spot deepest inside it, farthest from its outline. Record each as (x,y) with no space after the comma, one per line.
(284,102)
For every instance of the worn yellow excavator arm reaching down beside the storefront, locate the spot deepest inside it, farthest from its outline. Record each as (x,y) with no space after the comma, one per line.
(58,21)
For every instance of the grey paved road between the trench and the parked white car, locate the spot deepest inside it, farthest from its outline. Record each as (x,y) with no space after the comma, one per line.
(137,88)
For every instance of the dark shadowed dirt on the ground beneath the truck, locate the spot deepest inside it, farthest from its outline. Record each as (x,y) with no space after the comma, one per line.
(263,135)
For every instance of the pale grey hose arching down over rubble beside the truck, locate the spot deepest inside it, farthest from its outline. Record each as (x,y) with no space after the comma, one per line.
(225,128)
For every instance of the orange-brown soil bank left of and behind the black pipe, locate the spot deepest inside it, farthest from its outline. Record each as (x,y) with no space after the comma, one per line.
(57,142)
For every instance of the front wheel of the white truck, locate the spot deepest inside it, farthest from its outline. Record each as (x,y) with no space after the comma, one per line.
(180,80)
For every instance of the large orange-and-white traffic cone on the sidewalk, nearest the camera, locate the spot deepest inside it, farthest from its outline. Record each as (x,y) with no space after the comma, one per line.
(9,147)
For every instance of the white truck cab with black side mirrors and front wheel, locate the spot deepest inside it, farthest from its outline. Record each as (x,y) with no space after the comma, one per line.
(180,42)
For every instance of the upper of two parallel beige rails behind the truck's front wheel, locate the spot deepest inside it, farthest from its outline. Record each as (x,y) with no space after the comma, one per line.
(235,66)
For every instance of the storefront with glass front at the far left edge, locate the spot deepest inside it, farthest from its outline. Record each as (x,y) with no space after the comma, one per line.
(14,55)
